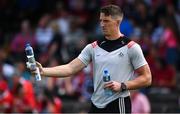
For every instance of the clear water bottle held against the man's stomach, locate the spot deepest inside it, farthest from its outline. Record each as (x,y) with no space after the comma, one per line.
(107,78)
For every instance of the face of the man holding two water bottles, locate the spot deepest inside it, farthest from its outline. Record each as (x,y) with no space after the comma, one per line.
(108,24)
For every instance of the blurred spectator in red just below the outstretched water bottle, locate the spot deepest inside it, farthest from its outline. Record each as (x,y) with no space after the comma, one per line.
(24,95)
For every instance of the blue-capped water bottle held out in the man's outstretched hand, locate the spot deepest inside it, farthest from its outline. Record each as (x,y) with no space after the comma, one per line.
(31,64)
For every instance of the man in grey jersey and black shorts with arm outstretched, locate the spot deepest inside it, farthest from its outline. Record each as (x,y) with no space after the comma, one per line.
(116,53)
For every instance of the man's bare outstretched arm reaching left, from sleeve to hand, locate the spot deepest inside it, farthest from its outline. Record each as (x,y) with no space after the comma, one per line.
(63,70)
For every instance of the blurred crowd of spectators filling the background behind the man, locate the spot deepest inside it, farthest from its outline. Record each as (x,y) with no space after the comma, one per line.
(59,29)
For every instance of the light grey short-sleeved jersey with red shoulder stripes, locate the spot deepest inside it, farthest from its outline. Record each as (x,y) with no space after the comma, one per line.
(120,62)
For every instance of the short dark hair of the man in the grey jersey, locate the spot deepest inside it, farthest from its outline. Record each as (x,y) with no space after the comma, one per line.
(112,10)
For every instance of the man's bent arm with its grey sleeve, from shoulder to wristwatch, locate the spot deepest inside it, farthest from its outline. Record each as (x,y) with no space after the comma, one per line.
(141,67)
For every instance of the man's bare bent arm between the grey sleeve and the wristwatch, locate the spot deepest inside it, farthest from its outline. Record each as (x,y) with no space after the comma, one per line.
(143,79)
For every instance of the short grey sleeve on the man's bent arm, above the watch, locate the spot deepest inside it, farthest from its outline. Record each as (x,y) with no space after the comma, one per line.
(136,56)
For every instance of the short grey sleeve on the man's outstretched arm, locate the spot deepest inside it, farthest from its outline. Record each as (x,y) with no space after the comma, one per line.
(86,54)
